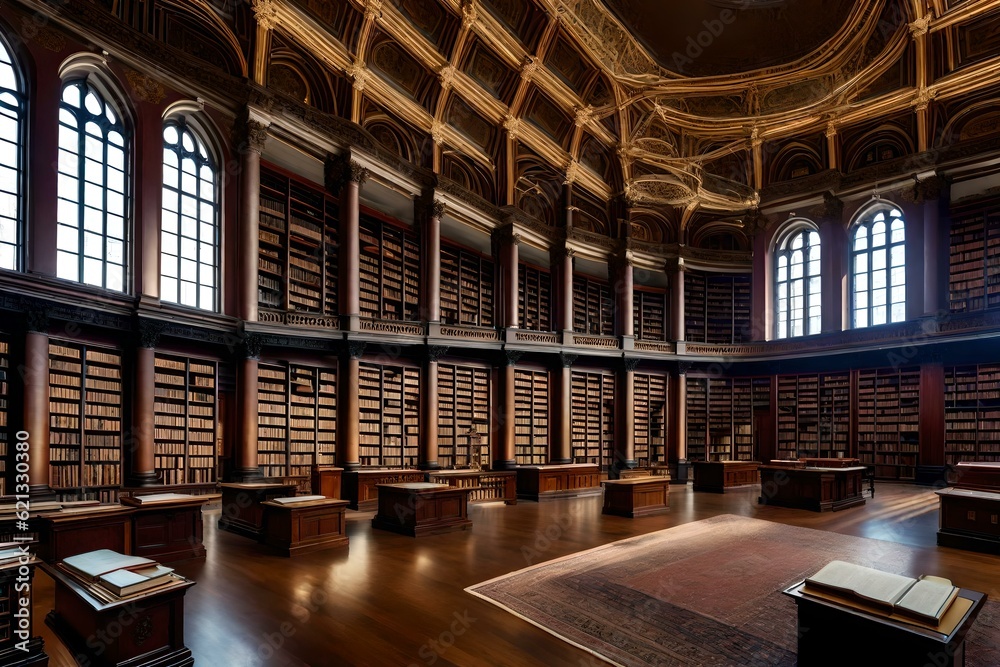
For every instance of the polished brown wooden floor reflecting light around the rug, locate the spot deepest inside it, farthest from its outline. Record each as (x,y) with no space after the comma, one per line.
(385,599)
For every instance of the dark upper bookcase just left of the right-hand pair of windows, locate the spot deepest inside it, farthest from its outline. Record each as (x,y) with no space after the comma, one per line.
(717,307)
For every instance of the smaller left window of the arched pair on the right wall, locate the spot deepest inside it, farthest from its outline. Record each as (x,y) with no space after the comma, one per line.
(797,284)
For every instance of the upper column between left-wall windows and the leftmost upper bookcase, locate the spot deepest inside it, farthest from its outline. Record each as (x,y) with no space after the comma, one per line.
(251,145)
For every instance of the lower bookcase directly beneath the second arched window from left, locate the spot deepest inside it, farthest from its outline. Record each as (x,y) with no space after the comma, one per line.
(85,421)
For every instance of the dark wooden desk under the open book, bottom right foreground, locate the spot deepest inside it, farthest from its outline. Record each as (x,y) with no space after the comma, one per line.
(834,634)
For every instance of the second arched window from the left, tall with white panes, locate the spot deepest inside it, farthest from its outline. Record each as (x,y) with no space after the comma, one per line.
(92,242)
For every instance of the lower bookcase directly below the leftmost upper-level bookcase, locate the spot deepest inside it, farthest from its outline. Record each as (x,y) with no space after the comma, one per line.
(296,420)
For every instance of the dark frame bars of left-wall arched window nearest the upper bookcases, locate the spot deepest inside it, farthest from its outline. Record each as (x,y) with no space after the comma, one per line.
(184,123)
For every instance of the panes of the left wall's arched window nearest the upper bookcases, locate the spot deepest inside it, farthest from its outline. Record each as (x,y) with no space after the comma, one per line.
(189,228)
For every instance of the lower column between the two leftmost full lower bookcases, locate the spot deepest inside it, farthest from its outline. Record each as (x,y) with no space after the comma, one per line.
(143,471)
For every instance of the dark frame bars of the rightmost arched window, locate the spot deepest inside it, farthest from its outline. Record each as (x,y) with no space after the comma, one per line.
(867,219)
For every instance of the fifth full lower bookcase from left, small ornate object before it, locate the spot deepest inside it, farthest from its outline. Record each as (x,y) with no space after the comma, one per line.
(463,413)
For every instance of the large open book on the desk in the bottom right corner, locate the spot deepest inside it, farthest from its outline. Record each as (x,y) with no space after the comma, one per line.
(924,599)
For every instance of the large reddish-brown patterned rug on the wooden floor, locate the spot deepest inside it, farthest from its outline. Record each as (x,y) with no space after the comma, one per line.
(704,593)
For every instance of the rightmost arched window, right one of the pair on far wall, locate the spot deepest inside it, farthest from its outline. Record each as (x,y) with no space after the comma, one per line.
(878,268)
